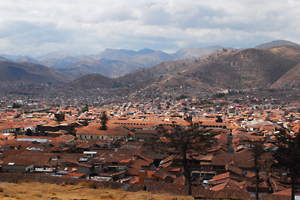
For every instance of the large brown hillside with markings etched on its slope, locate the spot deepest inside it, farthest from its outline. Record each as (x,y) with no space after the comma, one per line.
(225,69)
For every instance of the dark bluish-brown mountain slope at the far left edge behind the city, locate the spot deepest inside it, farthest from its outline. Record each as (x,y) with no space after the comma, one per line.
(12,73)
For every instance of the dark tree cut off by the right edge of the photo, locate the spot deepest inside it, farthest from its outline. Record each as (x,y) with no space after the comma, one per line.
(287,155)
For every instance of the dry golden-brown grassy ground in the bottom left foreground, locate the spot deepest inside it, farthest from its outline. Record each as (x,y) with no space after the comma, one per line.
(35,190)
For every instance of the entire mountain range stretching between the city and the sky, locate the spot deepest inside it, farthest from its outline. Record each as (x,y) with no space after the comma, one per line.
(271,65)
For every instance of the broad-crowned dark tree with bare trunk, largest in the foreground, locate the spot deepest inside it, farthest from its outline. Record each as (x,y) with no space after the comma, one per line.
(183,140)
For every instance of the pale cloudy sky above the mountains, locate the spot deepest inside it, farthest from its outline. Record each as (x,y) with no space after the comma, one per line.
(37,27)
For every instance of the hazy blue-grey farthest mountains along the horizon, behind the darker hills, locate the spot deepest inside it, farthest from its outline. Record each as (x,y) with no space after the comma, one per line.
(115,63)
